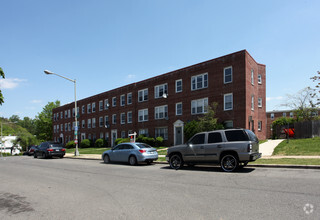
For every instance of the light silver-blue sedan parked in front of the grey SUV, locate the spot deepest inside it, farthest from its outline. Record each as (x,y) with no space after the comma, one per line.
(133,153)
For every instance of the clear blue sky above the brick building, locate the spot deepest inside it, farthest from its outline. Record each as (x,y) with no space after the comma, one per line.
(106,44)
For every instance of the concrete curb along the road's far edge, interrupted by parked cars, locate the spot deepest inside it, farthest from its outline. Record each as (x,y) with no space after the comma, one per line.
(250,165)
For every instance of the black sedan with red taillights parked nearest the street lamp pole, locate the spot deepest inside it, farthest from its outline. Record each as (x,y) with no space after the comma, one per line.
(49,149)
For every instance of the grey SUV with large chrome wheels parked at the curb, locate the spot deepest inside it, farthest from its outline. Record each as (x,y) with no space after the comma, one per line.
(231,148)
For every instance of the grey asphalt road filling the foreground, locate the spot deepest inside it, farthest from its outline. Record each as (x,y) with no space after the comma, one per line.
(85,189)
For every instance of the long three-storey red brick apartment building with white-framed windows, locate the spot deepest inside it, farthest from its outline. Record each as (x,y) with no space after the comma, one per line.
(162,105)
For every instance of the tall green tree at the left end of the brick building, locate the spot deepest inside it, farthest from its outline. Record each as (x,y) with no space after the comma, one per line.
(43,121)
